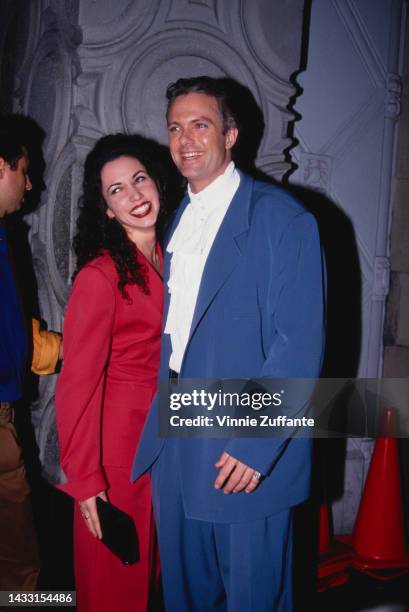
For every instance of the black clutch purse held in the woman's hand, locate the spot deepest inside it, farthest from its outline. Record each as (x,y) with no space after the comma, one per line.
(118,532)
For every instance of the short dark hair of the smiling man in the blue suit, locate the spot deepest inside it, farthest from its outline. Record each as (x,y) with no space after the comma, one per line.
(206,85)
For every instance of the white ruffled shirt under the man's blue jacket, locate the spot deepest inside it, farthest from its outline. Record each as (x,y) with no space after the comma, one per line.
(190,246)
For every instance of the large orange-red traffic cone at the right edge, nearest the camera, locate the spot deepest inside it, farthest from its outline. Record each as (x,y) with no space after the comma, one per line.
(379,533)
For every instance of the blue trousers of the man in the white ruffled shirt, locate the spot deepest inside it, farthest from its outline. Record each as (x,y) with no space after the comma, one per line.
(228,567)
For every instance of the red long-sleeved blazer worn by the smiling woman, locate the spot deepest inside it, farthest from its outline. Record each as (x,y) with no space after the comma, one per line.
(109,374)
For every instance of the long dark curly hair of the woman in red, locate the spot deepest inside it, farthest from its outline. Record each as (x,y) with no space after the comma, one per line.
(96,232)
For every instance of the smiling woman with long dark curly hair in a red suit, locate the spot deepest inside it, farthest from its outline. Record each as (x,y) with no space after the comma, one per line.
(111,358)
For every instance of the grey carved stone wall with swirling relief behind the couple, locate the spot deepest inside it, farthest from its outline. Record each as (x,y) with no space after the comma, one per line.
(98,66)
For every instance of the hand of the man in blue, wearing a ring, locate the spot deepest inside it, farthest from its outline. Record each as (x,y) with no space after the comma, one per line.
(235,476)
